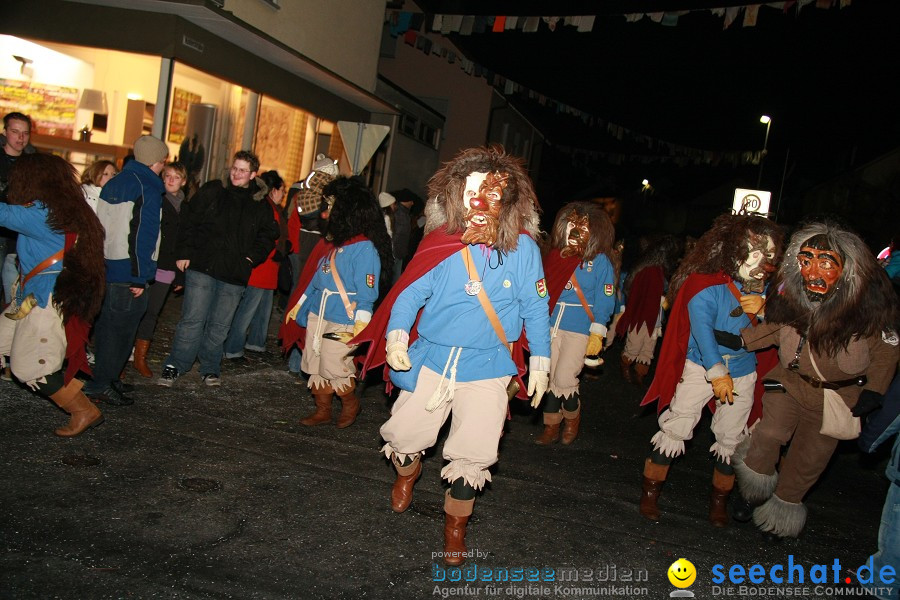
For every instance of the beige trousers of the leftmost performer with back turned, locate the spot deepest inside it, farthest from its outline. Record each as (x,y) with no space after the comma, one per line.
(36,345)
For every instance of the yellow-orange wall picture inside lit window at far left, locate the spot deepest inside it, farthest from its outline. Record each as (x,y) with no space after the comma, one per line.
(51,107)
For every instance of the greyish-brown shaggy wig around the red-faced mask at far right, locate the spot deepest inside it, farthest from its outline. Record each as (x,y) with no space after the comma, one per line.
(863,303)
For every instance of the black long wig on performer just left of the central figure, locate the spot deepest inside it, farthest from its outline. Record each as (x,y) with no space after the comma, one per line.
(356,212)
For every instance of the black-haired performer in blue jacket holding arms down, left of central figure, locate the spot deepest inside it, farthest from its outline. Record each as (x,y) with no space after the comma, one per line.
(352,263)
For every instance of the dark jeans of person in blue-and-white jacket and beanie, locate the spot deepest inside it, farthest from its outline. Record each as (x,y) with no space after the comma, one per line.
(114,333)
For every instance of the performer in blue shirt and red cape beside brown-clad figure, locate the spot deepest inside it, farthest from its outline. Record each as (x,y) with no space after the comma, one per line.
(719,285)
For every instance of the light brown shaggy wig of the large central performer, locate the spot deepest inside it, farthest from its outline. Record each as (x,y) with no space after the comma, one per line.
(519,209)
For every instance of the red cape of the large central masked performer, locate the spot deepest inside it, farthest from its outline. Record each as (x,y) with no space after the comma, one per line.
(435,247)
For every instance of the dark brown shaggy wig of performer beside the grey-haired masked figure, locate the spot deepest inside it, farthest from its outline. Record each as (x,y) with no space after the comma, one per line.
(724,247)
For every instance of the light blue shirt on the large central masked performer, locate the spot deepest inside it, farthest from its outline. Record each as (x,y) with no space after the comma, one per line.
(515,285)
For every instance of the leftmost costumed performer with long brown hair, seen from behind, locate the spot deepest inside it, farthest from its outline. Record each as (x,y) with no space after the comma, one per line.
(62,277)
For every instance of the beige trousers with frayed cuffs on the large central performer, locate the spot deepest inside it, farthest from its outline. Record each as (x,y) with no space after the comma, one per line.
(478,409)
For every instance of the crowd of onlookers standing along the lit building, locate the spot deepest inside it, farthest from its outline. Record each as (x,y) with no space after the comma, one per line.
(233,247)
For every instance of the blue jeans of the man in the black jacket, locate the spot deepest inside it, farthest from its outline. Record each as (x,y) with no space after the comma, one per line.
(206,315)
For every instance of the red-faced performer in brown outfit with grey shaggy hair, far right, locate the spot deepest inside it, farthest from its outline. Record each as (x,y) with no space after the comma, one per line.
(833,321)
